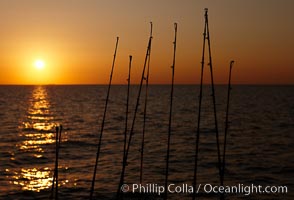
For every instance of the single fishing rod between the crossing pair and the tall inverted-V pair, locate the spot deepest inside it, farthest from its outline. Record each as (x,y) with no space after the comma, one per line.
(170,112)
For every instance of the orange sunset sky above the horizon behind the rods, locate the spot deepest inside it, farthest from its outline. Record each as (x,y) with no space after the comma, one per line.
(76,39)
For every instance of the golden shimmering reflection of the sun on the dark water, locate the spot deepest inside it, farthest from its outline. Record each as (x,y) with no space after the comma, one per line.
(38,131)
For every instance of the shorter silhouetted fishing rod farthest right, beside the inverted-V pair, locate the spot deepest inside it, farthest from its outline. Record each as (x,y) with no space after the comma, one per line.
(226,124)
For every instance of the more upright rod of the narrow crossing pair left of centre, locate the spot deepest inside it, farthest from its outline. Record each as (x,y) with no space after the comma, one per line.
(145,110)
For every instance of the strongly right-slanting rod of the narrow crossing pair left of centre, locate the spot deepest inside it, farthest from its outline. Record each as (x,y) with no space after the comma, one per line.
(134,119)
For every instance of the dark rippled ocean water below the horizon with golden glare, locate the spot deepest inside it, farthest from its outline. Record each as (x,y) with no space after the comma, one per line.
(260,147)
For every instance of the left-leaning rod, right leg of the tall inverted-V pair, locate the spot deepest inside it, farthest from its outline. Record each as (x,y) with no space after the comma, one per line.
(213,94)
